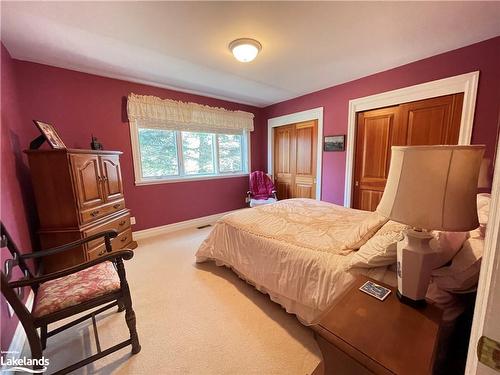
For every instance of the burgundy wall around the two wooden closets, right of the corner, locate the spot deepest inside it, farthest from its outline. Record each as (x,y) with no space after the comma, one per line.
(483,56)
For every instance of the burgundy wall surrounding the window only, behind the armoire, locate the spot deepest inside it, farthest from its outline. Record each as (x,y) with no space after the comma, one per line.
(81,104)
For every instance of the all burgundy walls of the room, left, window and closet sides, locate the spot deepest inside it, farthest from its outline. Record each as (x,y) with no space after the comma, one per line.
(82,104)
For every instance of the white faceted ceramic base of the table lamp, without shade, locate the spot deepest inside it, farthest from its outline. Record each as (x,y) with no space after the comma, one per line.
(416,259)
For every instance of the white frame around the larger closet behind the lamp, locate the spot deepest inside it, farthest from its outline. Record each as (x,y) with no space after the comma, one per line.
(466,83)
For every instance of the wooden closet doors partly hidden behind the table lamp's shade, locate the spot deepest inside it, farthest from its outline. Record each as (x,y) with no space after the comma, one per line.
(433,121)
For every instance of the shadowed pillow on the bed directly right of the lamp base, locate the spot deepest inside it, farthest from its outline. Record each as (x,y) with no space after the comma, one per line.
(462,274)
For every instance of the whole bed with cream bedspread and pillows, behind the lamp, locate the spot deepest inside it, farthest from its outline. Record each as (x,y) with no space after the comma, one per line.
(304,253)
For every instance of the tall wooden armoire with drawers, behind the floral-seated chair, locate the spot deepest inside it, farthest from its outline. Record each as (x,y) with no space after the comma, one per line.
(78,193)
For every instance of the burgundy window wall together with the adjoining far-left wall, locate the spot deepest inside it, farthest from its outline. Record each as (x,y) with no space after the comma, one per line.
(79,105)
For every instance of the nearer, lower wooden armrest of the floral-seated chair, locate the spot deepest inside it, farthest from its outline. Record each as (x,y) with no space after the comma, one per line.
(125,254)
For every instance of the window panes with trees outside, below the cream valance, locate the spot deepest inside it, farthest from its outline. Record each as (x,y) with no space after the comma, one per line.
(173,155)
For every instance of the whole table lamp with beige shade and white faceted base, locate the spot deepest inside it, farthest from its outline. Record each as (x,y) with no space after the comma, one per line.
(428,188)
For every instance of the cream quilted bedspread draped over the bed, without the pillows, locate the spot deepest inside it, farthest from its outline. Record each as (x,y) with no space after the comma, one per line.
(290,250)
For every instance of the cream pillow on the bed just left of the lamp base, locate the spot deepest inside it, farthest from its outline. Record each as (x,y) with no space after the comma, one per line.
(381,249)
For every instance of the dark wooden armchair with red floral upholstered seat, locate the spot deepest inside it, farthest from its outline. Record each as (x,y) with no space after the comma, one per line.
(99,283)
